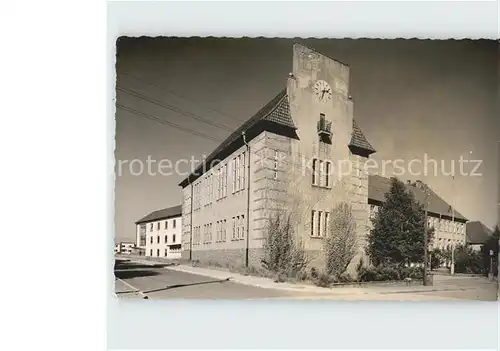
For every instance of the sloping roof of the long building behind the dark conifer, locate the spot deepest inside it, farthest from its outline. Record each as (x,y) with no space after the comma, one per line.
(378,186)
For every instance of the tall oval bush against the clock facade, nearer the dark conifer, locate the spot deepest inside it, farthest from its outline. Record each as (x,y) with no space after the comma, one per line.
(340,244)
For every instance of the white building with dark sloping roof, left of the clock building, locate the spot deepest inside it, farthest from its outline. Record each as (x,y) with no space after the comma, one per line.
(159,233)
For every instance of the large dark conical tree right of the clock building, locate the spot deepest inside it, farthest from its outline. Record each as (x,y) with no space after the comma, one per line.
(398,228)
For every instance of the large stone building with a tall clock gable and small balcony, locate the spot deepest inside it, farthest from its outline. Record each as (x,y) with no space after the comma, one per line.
(281,159)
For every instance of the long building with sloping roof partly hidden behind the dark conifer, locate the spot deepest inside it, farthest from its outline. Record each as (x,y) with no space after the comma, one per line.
(449,225)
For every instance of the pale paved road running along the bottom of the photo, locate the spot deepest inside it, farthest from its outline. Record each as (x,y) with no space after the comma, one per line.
(159,282)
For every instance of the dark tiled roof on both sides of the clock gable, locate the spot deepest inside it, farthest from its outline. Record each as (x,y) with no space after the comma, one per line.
(275,116)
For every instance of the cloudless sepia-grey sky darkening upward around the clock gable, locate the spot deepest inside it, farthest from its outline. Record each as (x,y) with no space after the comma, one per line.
(178,97)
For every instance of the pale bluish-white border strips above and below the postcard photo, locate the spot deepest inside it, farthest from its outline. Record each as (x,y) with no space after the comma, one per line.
(311,324)
